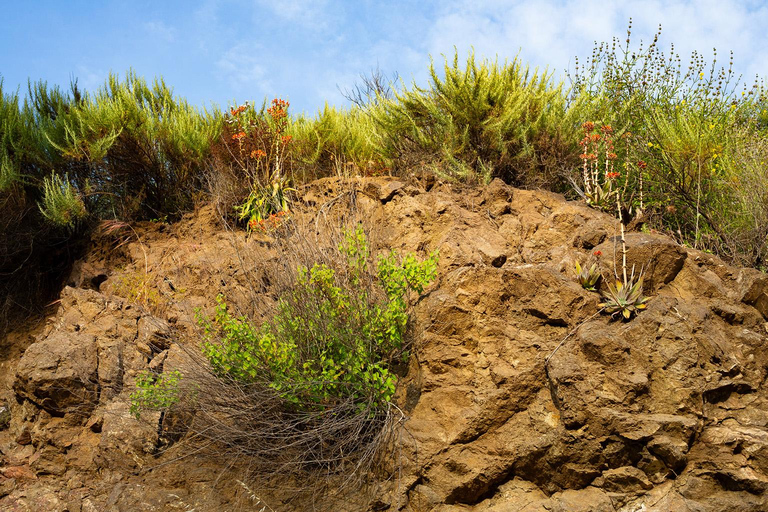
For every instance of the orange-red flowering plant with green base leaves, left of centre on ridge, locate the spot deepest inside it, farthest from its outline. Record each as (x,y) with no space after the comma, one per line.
(261,148)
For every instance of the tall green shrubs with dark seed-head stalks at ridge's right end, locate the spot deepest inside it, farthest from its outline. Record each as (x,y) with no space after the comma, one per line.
(691,127)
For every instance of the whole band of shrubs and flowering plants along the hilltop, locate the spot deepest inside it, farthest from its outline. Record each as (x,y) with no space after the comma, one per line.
(687,147)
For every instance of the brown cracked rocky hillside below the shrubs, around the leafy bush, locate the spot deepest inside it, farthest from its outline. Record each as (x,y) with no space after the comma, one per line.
(520,396)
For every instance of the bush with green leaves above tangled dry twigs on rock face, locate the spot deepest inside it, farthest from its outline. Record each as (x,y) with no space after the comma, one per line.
(313,383)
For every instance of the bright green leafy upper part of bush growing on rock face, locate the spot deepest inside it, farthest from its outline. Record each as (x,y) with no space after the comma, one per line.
(331,340)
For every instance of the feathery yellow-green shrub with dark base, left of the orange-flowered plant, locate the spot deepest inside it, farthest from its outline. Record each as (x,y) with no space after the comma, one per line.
(136,140)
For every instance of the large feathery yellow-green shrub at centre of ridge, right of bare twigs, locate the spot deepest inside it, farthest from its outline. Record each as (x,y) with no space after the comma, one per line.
(476,121)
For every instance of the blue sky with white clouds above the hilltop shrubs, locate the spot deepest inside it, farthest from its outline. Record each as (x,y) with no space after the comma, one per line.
(224,50)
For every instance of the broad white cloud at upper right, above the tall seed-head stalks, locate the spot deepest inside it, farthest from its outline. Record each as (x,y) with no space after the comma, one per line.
(551,33)
